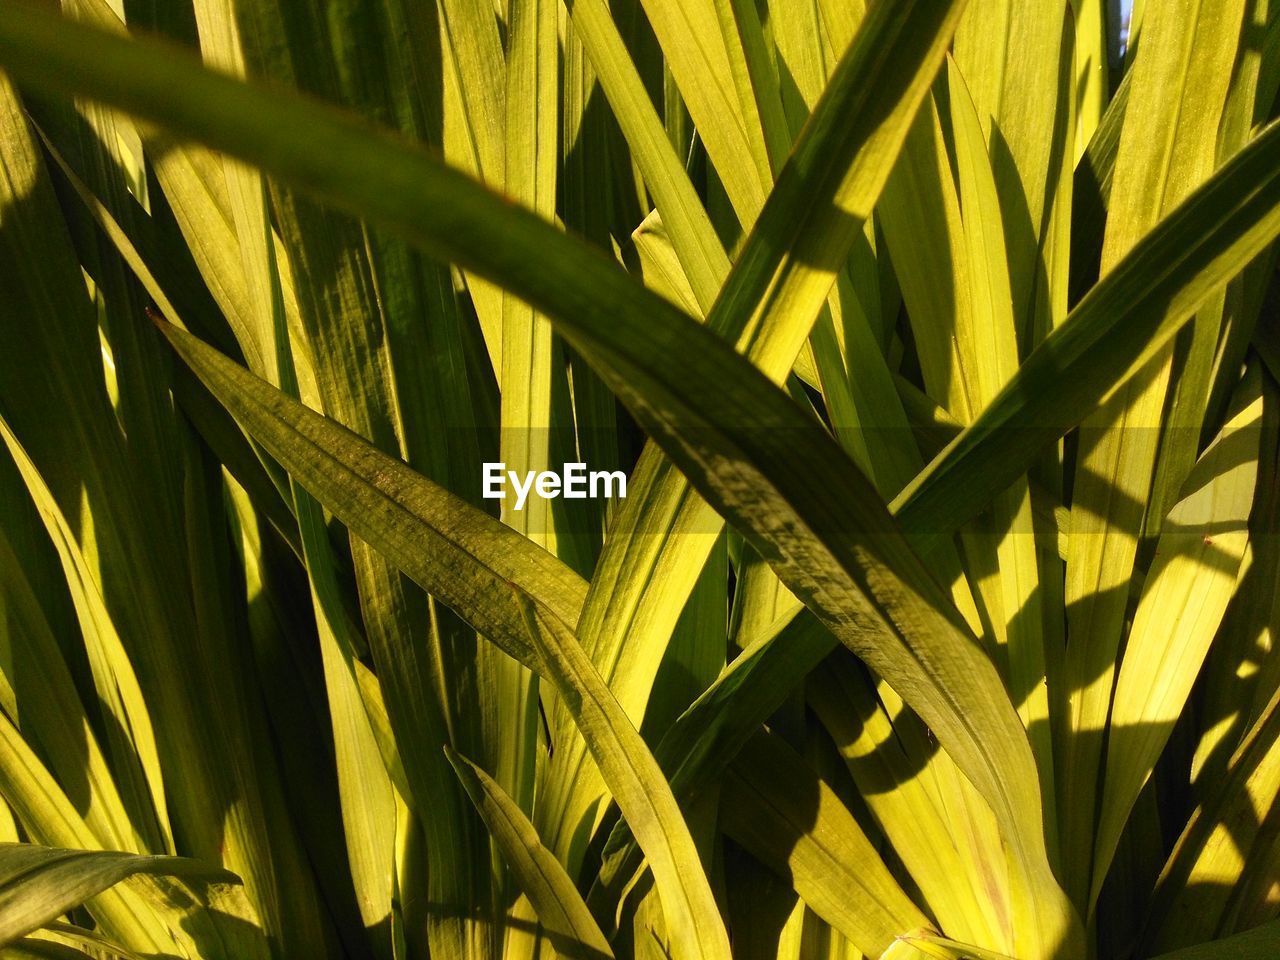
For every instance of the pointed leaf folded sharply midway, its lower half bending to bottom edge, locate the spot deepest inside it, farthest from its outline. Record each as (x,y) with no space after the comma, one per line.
(477,566)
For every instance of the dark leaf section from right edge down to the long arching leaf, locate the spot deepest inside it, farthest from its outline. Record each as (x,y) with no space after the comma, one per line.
(1109,336)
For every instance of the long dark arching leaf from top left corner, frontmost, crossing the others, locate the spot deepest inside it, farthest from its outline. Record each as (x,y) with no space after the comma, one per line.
(657,362)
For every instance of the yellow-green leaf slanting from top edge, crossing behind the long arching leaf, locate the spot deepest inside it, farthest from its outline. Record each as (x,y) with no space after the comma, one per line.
(767,307)
